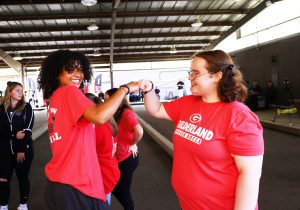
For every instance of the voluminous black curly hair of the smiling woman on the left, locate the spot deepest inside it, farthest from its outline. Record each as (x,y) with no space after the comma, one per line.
(54,65)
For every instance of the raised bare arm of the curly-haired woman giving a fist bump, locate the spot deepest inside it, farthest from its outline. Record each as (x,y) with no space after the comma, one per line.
(103,112)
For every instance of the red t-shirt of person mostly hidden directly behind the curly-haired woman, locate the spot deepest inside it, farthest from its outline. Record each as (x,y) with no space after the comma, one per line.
(106,145)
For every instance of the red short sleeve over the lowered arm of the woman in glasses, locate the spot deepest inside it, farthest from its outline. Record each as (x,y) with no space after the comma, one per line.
(245,135)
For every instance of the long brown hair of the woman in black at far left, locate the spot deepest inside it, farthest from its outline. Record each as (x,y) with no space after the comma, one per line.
(6,99)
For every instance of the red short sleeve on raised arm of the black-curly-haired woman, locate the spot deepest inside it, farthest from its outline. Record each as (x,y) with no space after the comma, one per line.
(77,103)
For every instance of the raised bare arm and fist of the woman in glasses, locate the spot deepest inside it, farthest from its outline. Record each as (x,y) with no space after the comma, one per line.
(152,104)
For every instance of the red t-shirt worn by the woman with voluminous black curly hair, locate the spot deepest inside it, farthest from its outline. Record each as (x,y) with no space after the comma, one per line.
(74,159)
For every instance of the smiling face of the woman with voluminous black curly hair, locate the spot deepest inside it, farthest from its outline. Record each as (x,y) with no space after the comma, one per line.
(74,77)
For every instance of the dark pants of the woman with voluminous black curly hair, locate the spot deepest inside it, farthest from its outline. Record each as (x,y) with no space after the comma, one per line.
(65,197)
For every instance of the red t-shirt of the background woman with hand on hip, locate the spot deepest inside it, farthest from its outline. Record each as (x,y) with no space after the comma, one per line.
(125,134)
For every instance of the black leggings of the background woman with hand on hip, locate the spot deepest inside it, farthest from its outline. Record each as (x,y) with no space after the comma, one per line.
(122,190)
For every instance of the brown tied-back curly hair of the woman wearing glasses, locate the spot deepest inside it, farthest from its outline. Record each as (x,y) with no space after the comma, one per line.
(231,86)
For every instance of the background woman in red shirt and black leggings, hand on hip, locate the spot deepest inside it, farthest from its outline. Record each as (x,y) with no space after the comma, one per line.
(129,133)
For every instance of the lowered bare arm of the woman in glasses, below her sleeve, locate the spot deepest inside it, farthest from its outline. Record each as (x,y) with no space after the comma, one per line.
(249,168)
